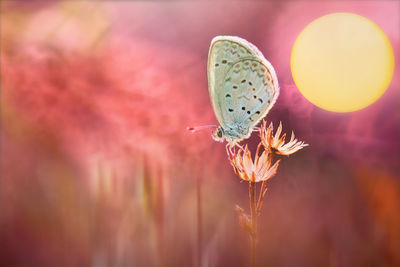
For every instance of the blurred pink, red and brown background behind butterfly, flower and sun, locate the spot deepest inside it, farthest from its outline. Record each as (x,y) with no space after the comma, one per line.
(97,168)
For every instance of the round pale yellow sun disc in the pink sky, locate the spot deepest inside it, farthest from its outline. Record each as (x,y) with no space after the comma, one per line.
(342,62)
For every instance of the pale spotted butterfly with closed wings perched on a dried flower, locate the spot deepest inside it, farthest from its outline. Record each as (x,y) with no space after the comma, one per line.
(243,87)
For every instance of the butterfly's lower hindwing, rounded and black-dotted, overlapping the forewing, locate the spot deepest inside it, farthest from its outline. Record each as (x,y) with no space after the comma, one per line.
(250,93)
